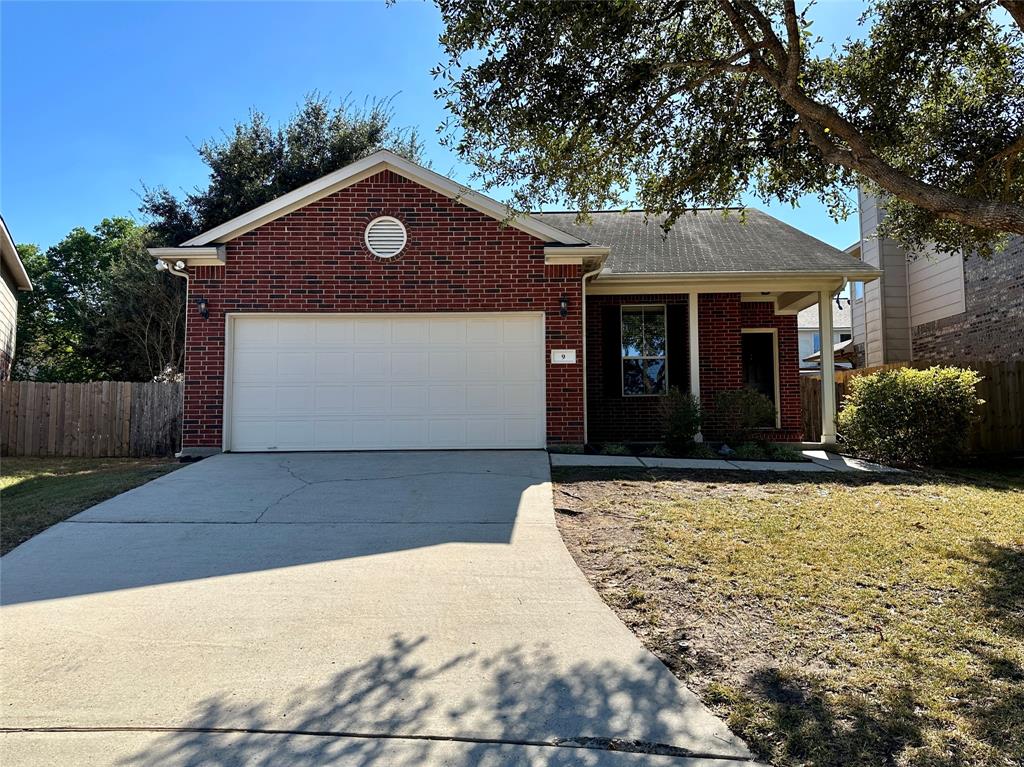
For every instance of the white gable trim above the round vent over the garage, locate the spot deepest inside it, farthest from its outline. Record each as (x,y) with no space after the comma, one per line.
(363,169)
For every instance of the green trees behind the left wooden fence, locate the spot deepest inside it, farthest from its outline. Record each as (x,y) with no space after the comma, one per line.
(100,311)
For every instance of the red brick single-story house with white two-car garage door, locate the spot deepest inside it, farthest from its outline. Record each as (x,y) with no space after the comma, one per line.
(385,307)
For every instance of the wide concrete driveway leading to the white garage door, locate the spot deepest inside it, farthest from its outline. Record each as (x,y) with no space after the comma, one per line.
(401,609)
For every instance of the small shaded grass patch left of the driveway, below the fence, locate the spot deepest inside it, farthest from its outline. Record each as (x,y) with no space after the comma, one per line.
(36,493)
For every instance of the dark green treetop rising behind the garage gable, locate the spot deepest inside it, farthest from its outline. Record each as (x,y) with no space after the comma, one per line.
(255,163)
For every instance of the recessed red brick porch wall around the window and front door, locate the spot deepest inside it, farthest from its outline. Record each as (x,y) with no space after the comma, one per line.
(722,317)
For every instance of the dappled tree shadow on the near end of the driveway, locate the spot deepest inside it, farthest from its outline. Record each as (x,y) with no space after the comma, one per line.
(516,698)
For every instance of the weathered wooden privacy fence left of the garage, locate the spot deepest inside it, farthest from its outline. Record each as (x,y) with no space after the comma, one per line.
(99,420)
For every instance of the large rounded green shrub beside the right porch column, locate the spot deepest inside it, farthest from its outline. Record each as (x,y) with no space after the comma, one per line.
(910,416)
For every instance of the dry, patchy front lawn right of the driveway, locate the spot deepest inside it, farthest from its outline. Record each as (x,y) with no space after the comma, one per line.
(836,620)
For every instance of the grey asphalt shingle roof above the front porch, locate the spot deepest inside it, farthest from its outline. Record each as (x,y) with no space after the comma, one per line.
(705,241)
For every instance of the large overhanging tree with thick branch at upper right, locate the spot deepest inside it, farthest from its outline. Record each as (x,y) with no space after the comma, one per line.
(693,103)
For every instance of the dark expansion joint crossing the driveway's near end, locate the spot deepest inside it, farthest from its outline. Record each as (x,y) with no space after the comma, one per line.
(620,746)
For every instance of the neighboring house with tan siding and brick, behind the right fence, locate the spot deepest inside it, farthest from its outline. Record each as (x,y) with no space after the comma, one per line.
(936,308)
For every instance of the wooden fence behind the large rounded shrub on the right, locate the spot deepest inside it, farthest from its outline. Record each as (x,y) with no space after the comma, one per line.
(1000,430)
